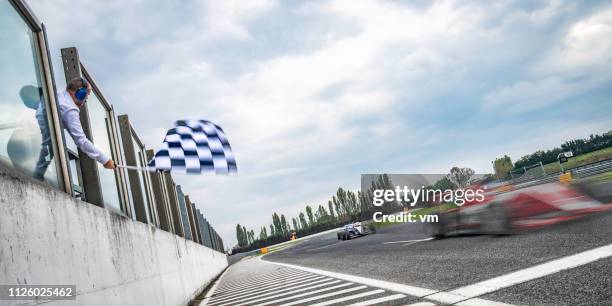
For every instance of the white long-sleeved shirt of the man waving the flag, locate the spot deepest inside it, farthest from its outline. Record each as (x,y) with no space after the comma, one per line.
(72,123)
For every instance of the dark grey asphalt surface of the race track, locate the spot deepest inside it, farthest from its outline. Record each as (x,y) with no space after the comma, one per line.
(400,254)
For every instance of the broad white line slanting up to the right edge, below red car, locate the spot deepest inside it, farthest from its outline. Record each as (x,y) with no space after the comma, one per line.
(524,275)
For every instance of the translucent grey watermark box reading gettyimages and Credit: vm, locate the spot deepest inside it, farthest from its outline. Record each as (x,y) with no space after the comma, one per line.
(412,198)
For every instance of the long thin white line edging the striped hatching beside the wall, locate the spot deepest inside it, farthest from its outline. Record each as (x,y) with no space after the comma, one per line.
(401,288)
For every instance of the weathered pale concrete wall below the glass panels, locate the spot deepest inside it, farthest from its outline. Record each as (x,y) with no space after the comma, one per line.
(49,238)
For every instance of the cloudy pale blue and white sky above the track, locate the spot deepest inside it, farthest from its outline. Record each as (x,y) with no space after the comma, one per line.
(314,93)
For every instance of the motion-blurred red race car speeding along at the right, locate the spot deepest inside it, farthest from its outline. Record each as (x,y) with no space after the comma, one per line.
(506,210)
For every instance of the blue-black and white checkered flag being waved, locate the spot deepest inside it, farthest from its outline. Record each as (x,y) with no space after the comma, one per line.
(195,146)
